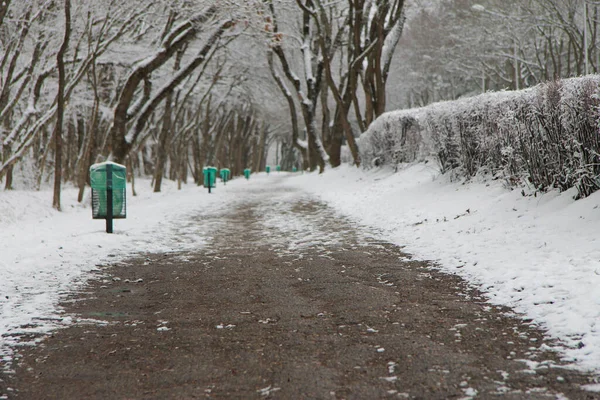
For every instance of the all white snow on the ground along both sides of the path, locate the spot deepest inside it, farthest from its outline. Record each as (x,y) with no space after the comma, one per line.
(539,255)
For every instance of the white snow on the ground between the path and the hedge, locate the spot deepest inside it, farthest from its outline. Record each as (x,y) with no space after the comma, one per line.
(539,255)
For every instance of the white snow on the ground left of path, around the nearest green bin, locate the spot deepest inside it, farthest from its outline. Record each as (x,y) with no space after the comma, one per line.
(45,253)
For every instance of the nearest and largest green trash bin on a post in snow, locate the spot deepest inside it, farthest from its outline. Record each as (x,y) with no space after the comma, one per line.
(109,186)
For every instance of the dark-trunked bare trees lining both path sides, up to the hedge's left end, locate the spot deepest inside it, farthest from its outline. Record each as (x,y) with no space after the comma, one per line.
(168,87)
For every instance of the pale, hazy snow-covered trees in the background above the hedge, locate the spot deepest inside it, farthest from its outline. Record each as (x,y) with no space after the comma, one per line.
(457,48)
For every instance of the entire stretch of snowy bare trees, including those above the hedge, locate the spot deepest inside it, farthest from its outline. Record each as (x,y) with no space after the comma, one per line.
(169,87)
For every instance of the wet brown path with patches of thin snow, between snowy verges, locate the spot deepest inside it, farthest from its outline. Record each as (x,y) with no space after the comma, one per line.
(289,301)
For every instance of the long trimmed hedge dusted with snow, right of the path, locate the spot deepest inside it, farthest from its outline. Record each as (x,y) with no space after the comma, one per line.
(547,135)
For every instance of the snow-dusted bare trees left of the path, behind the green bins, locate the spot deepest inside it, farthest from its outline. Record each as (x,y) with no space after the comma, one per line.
(148,84)
